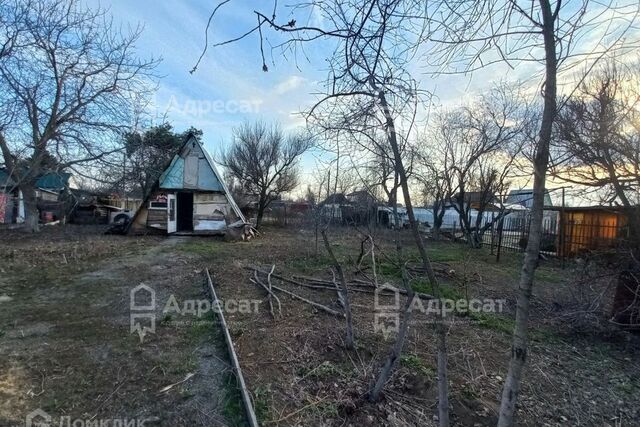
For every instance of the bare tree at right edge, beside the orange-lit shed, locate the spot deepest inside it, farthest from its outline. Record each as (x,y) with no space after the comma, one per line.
(598,132)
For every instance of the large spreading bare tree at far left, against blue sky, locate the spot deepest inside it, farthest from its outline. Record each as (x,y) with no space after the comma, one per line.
(65,83)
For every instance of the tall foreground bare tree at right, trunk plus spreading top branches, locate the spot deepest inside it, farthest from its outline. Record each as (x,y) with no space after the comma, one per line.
(471,35)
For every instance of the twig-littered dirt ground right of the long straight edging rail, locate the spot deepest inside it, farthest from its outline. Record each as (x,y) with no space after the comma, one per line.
(300,373)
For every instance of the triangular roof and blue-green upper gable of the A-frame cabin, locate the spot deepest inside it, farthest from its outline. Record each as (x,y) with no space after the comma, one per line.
(169,180)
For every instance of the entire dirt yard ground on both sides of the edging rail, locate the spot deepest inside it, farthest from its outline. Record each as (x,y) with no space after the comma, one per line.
(66,345)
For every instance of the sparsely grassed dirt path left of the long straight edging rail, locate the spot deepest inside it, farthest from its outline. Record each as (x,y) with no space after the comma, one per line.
(66,347)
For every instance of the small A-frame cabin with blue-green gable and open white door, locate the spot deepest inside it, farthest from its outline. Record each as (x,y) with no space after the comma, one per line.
(189,197)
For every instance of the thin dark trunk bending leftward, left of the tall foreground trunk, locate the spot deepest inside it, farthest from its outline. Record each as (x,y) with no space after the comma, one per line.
(443,385)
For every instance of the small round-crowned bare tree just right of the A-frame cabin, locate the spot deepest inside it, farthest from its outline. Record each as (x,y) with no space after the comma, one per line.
(265,161)
